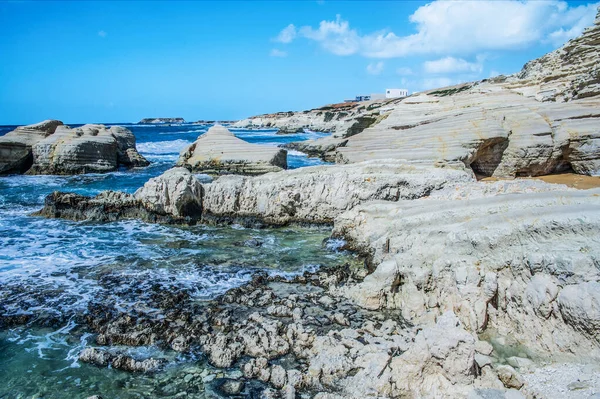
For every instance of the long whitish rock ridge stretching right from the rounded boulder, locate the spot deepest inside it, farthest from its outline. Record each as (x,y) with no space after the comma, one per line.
(318,194)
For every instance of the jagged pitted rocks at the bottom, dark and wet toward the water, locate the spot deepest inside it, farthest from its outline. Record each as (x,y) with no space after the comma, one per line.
(284,337)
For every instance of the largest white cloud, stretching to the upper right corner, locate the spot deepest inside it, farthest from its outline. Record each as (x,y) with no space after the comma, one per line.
(460,28)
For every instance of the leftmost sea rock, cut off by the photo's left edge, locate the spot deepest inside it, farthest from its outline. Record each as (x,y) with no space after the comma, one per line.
(15,146)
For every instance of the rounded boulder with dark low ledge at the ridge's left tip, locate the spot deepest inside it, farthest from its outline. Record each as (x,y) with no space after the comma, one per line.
(174,197)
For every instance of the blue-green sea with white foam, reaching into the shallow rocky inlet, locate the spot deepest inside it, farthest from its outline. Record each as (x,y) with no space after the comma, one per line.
(52,271)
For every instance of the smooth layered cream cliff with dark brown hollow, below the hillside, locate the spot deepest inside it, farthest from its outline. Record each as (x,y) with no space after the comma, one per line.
(495,131)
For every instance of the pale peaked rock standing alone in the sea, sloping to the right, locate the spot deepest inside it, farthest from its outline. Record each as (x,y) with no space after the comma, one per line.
(218,151)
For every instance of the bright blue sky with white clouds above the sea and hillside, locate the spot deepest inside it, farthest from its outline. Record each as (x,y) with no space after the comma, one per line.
(122,61)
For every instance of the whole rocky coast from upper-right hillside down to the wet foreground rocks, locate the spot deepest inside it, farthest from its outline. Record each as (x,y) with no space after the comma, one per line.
(468,289)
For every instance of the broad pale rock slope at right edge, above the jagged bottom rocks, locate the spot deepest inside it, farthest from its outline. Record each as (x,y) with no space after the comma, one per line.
(518,264)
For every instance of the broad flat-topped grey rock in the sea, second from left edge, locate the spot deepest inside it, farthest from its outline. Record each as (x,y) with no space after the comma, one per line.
(86,149)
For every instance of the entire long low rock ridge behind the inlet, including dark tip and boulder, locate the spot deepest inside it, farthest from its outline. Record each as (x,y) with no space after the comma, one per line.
(313,195)
